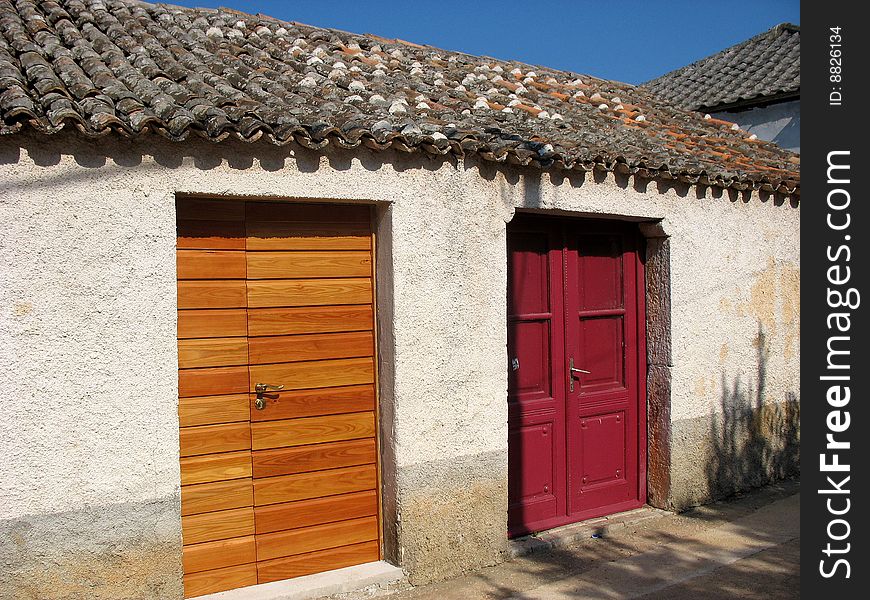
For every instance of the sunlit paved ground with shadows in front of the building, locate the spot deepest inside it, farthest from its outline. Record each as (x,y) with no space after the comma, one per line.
(747,547)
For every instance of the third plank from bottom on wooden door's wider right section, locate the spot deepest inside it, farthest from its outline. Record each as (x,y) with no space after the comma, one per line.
(305,513)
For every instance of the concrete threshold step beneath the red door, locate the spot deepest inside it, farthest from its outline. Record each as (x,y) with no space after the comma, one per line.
(567,535)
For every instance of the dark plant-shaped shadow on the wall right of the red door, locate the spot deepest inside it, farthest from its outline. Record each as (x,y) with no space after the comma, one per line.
(752,442)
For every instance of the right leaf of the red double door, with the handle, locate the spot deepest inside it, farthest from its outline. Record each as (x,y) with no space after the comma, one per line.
(601,336)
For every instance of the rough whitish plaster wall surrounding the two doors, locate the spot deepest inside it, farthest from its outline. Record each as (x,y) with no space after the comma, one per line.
(88,326)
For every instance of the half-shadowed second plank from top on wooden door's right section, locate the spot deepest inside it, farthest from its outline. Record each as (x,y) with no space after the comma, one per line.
(288,235)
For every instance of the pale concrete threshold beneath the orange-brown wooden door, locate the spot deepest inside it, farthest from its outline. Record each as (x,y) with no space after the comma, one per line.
(308,587)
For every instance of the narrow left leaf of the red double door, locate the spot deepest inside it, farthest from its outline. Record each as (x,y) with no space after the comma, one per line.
(536,403)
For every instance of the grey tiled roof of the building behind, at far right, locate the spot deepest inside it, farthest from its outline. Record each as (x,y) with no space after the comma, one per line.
(767,65)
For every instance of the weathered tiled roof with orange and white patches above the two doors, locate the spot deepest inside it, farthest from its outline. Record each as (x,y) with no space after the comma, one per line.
(128,67)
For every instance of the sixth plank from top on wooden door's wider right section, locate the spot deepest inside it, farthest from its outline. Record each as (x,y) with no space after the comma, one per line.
(316,346)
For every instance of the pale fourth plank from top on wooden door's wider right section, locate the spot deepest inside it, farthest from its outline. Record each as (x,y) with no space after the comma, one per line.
(298,292)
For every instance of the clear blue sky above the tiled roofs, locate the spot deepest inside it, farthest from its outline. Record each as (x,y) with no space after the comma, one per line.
(630,41)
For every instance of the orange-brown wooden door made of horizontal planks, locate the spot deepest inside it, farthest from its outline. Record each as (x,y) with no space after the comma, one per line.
(280,483)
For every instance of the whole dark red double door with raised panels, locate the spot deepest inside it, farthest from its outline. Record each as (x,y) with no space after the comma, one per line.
(577,446)
